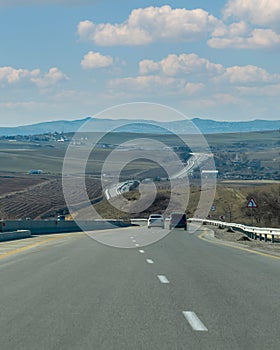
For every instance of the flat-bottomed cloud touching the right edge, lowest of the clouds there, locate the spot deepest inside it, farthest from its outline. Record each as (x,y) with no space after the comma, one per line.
(248,74)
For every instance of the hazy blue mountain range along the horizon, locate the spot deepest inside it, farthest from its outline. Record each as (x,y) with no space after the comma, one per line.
(206,126)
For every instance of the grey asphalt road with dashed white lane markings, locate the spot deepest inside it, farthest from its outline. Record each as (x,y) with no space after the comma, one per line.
(178,293)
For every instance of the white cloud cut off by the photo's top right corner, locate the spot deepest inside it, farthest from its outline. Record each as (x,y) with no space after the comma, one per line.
(260,12)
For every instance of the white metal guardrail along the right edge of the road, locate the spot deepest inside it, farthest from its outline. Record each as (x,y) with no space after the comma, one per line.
(261,233)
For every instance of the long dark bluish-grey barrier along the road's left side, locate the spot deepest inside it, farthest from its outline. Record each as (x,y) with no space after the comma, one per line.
(56,226)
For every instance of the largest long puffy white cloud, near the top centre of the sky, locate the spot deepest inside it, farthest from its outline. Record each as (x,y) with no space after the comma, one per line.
(147,25)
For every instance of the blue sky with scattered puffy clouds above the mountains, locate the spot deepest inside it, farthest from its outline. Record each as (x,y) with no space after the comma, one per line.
(69,59)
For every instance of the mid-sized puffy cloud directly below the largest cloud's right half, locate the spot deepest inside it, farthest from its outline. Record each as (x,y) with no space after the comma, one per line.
(184,63)
